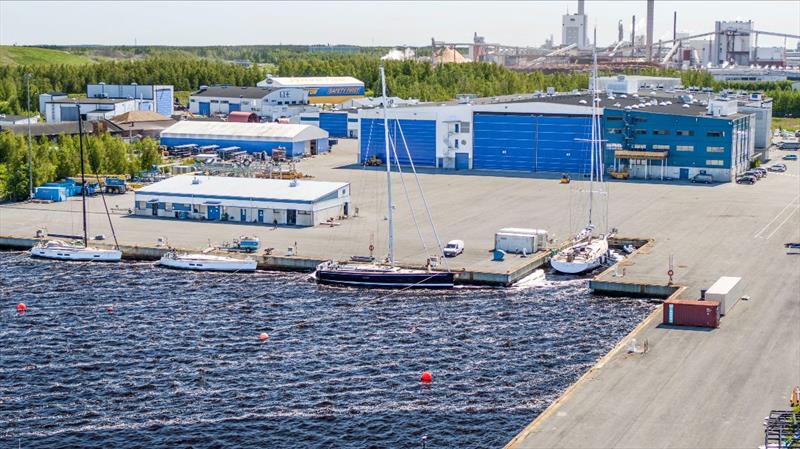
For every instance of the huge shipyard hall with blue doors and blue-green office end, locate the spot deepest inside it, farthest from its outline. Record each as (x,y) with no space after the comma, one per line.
(649,134)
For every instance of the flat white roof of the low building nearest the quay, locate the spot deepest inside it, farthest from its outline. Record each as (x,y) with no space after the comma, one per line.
(243,188)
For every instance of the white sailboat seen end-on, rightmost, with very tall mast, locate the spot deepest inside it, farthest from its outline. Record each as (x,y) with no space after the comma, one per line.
(587,252)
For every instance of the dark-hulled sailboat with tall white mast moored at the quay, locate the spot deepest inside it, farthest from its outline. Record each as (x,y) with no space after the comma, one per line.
(387,275)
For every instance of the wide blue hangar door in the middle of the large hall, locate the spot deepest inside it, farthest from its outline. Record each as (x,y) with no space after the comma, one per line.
(525,142)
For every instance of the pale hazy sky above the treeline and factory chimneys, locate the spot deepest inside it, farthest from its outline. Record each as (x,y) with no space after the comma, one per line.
(365,23)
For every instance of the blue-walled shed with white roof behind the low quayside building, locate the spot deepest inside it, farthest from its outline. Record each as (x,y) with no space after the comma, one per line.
(297,140)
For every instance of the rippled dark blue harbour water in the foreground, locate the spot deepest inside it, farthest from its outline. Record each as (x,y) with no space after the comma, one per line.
(178,363)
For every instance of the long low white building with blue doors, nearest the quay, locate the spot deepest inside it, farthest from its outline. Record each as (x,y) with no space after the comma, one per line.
(244,200)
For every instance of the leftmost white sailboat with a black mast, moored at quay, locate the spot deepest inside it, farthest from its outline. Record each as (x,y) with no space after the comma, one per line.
(80,250)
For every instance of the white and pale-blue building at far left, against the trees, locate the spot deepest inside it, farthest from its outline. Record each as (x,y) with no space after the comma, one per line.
(156,98)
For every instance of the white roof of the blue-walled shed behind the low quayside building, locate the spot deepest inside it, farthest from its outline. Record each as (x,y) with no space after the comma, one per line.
(245,131)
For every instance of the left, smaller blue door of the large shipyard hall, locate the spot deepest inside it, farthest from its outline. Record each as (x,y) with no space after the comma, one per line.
(420,136)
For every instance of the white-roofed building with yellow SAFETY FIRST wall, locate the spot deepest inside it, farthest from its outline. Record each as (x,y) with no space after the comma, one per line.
(321,90)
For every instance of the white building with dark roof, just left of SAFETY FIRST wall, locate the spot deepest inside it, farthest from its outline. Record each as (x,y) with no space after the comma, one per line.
(270,103)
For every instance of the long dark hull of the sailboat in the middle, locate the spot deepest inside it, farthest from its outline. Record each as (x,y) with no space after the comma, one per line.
(385,279)
